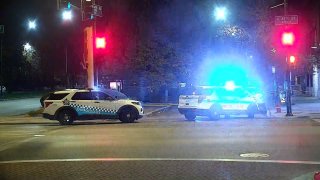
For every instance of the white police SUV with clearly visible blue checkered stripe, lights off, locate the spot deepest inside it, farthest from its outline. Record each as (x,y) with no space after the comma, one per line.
(73,104)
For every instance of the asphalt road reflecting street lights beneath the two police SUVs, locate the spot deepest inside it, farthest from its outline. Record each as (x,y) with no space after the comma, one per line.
(162,146)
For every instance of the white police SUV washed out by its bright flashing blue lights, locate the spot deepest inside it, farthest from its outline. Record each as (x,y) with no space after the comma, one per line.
(226,100)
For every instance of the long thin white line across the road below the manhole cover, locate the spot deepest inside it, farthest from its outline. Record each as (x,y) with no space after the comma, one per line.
(162,159)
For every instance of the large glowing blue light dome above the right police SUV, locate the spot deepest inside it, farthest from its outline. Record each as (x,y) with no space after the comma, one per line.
(219,69)
